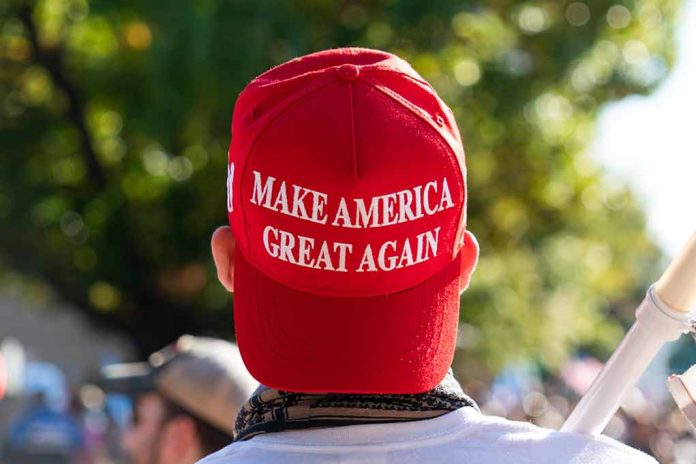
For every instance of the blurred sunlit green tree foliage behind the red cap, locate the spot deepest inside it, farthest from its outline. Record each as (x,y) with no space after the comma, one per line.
(114,123)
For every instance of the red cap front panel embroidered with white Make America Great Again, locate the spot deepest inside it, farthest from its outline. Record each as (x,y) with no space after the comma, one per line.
(312,225)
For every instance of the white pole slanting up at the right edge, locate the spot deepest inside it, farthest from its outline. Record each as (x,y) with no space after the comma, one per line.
(663,316)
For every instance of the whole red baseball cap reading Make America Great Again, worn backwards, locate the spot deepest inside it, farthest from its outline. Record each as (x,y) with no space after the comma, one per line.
(347,199)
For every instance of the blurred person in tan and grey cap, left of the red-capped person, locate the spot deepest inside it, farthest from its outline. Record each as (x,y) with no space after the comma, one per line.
(186,398)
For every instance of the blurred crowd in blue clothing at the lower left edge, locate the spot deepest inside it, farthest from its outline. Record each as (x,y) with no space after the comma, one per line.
(43,419)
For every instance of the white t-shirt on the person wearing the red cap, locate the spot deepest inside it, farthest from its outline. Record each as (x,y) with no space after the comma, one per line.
(461,436)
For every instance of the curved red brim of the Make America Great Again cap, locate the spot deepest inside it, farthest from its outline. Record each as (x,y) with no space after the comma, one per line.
(296,341)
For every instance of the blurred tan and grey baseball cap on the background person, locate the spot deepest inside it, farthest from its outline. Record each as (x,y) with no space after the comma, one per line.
(204,376)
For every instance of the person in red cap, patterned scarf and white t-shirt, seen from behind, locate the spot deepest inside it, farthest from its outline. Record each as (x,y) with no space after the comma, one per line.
(347,254)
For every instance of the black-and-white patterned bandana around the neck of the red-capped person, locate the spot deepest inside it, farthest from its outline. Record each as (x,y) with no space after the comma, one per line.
(270,410)
